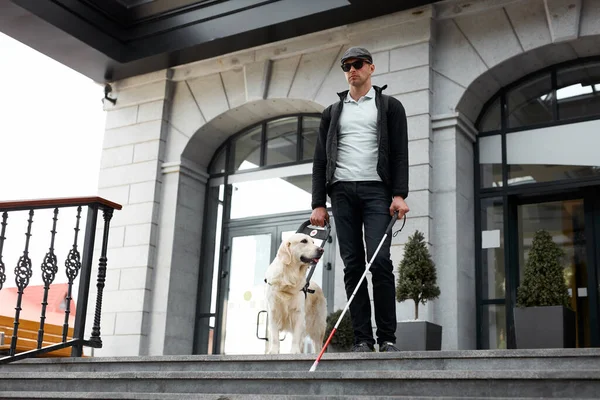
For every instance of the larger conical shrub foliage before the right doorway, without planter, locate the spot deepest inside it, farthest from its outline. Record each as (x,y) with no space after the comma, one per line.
(543,283)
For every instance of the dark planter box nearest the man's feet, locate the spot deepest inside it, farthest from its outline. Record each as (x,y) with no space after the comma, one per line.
(418,335)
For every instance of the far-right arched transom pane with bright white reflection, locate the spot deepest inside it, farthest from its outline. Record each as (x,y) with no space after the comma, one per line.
(578,93)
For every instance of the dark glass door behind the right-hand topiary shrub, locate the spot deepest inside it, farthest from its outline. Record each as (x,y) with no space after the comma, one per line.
(570,222)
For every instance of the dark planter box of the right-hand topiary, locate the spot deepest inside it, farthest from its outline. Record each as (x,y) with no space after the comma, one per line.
(544,327)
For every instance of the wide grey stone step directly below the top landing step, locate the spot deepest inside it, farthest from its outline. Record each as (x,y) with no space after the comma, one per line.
(482,384)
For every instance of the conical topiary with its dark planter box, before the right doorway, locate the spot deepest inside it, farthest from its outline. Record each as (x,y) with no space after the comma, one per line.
(543,317)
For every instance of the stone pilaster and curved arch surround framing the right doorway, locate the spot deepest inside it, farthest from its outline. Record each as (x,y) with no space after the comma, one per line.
(479,47)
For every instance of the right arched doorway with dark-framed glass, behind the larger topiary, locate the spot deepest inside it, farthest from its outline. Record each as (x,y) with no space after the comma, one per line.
(537,167)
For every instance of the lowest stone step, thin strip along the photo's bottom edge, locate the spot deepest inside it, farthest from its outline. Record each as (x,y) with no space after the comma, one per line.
(165,396)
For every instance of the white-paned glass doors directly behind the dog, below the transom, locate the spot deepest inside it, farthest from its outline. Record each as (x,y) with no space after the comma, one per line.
(241,326)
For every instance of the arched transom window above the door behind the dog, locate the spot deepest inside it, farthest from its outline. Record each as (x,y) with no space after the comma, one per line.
(267,167)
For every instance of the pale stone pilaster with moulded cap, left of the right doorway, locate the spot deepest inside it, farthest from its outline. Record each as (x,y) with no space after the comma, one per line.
(453,229)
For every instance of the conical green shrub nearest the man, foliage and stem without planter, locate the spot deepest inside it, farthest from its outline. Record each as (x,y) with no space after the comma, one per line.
(417,277)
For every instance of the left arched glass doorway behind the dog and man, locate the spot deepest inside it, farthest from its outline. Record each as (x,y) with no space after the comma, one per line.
(259,191)
